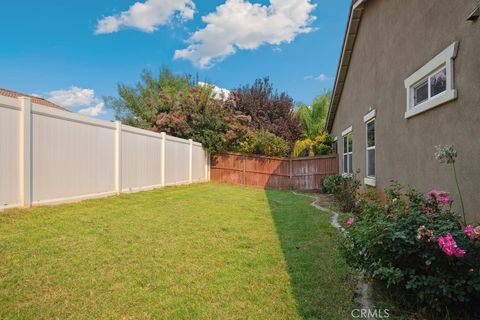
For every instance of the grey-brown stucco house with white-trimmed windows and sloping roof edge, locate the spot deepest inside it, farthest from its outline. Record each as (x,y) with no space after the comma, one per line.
(408,80)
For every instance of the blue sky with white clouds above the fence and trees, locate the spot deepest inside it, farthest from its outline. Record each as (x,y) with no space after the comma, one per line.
(76,53)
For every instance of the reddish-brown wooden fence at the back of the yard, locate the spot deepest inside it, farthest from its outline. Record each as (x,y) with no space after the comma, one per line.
(273,173)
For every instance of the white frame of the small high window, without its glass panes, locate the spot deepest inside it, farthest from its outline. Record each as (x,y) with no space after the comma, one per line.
(444,60)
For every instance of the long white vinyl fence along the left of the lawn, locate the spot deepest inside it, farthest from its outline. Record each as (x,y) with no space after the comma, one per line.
(53,156)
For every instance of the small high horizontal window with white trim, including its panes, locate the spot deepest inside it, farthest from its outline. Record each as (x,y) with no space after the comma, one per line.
(432,84)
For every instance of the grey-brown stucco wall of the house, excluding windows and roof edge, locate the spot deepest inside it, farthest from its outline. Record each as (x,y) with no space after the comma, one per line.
(396,38)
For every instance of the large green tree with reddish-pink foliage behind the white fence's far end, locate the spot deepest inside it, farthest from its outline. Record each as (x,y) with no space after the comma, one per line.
(182,107)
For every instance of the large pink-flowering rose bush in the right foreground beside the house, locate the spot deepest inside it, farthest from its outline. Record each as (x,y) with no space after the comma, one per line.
(417,245)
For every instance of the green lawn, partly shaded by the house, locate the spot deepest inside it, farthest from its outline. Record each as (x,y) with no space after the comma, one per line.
(202,251)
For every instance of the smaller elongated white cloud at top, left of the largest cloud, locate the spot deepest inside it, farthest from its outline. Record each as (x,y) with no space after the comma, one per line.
(147,16)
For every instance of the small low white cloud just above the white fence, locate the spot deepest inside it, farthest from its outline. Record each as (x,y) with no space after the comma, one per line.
(75,97)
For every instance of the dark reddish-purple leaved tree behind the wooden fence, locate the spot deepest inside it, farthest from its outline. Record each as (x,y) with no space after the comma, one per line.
(269,110)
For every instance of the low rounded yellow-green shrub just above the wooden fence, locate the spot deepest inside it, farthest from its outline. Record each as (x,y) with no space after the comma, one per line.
(264,143)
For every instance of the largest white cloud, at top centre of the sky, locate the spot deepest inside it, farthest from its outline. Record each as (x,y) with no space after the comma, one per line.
(241,25)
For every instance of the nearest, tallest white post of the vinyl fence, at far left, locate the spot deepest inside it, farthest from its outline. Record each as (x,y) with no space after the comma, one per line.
(26,152)
